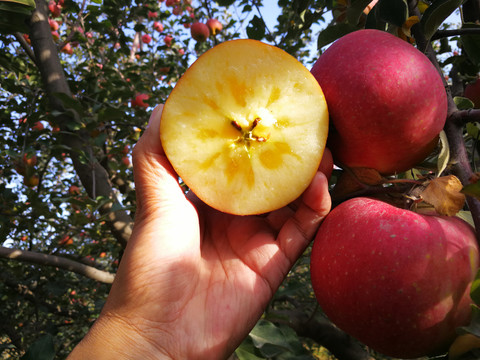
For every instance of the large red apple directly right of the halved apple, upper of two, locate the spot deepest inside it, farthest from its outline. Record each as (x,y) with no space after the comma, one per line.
(387,102)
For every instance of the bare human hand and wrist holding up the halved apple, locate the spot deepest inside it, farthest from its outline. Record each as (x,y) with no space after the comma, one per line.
(194,281)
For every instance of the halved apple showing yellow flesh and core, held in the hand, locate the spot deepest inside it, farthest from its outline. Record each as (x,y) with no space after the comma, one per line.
(245,127)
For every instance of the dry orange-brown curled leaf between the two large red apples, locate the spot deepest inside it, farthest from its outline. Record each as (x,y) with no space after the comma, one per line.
(444,194)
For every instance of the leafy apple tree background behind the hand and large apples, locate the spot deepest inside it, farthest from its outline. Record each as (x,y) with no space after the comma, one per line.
(71,73)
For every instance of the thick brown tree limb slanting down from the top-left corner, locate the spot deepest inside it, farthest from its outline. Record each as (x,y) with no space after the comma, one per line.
(93,176)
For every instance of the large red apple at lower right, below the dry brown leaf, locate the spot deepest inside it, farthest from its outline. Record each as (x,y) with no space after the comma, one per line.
(396,280)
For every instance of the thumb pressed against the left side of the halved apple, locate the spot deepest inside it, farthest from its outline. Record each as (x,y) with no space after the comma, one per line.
(156,183)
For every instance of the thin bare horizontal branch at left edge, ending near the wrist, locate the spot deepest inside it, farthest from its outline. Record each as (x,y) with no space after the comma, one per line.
(57,261)
